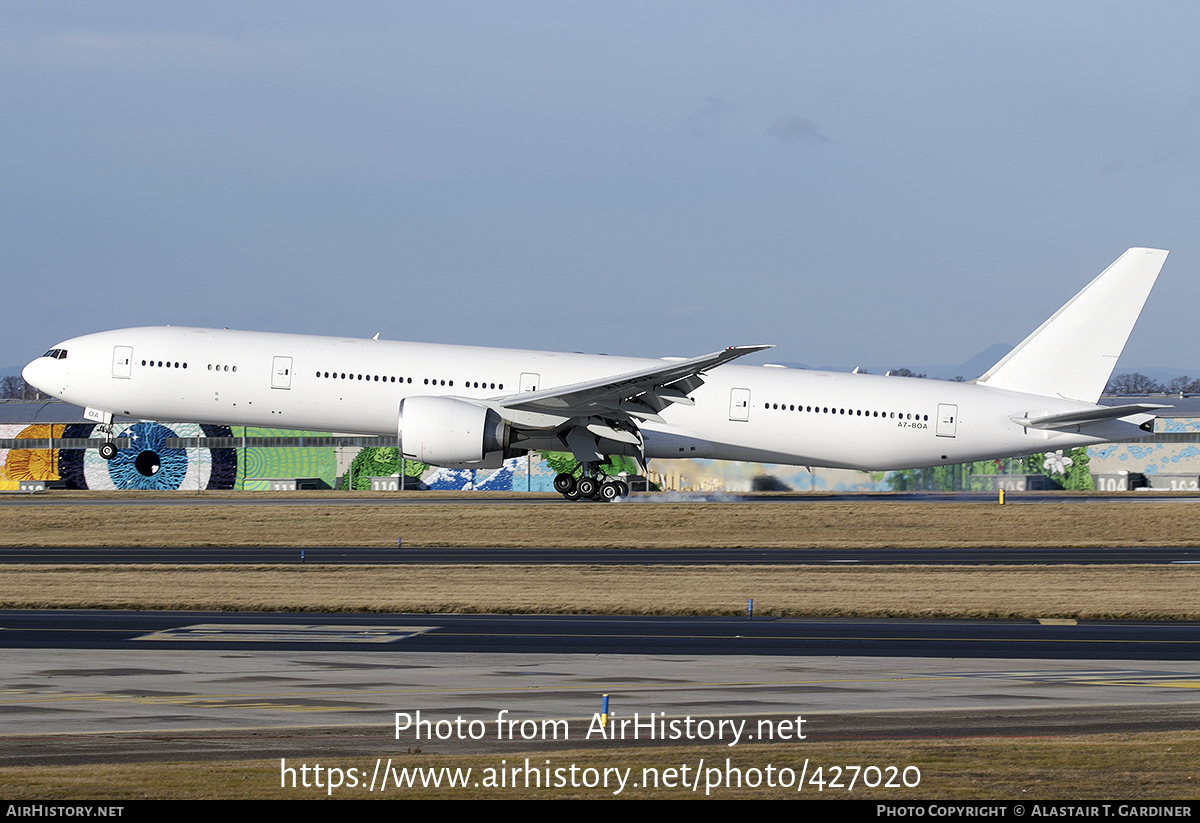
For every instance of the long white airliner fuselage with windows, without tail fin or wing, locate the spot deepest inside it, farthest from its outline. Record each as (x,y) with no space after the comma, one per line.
(745,413)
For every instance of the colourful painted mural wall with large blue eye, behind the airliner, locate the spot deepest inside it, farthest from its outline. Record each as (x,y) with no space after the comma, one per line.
(147,464)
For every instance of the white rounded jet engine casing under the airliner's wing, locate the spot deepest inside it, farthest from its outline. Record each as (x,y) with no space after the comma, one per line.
(446,431)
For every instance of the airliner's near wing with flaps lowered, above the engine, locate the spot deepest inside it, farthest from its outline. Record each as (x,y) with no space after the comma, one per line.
(641,394)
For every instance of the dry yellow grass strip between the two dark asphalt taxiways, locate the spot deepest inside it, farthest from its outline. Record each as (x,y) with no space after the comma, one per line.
(976,592)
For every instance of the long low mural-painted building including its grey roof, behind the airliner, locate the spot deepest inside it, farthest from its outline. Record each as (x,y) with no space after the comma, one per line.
(51,443)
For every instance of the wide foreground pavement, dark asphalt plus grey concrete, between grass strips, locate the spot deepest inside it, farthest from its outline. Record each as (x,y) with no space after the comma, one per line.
(110,687)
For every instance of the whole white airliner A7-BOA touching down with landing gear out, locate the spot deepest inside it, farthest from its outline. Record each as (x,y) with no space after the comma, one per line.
(459,406)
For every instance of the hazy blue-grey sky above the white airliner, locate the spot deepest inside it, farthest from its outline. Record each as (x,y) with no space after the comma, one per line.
(855,183)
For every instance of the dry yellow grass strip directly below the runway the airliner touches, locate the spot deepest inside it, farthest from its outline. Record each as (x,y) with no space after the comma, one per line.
(842,525)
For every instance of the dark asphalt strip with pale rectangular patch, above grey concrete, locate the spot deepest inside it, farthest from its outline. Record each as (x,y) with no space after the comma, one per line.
(557,635)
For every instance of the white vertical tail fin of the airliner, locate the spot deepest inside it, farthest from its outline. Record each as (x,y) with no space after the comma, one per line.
(1073,355)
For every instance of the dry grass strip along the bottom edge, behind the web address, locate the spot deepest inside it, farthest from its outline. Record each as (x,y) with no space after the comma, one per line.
(1120,768)
